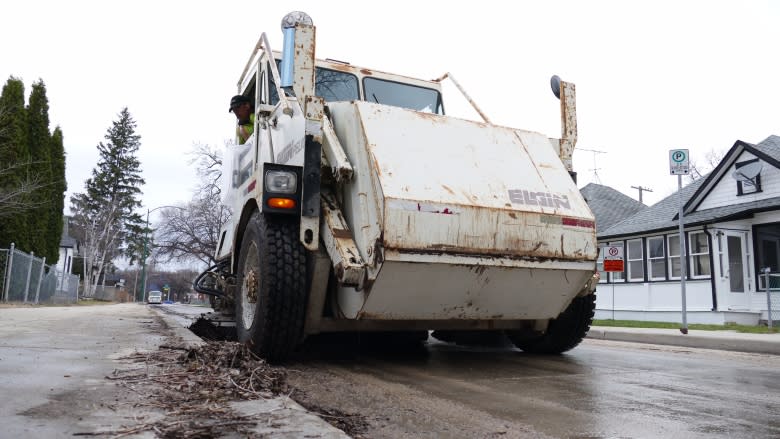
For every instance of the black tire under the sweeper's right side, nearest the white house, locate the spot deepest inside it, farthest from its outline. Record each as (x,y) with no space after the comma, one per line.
(563,333)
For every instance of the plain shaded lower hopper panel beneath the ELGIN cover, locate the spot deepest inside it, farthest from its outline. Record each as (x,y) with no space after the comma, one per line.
(443,291)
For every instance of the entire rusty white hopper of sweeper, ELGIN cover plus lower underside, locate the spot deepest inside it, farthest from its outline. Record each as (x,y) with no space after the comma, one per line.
(465,220)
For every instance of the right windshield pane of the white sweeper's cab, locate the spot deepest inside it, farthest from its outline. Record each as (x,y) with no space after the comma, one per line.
(408,96)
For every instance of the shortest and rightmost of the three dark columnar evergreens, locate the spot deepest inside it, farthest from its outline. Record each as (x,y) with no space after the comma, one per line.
(57,203)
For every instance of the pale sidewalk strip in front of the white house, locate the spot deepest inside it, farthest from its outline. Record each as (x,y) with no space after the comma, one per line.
(723,340)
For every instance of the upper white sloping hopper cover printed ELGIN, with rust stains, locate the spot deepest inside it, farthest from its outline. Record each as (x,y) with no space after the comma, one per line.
(457,186)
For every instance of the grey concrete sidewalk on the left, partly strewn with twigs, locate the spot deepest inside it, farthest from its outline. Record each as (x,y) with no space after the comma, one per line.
(57,365)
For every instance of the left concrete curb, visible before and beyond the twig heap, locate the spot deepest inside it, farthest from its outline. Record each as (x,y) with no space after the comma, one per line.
(290,419)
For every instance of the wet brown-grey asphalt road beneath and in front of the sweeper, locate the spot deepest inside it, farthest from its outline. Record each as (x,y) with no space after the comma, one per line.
(600,389)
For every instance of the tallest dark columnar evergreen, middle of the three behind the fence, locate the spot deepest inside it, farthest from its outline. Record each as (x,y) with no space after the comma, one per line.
(39,139)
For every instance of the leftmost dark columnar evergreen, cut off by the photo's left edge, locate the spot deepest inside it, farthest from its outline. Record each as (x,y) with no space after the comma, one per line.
(15,182)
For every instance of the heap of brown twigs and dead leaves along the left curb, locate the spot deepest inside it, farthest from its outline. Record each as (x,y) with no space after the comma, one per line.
(193,388)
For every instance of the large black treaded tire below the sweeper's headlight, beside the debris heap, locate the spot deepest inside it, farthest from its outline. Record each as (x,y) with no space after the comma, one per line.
(271,287)
